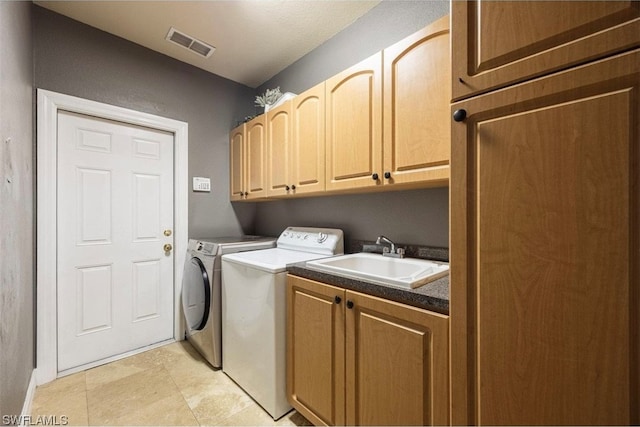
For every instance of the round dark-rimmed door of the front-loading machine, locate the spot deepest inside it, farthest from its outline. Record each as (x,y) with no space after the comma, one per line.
(196,294)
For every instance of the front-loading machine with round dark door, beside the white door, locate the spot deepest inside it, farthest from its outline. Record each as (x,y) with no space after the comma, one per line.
(201,290)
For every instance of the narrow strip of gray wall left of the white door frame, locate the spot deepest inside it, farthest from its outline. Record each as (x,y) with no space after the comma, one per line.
(16,206)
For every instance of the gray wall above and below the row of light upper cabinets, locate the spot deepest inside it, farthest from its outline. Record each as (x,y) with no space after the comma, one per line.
(416,217)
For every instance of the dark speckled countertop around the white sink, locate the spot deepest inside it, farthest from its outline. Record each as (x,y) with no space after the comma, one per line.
(433,296)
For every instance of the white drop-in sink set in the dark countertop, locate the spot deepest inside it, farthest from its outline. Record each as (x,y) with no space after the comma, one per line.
(408,273)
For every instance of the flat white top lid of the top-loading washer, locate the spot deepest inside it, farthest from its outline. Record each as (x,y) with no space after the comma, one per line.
(273,260)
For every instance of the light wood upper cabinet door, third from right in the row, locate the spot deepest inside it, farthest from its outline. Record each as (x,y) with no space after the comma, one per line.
(308,165)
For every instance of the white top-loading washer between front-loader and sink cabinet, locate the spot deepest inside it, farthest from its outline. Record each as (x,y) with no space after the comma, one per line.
(254,312)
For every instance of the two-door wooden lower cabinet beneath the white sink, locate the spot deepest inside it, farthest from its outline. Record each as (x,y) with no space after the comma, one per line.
(354,359)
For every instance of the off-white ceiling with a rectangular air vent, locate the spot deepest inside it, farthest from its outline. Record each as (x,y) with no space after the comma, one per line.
(254,40)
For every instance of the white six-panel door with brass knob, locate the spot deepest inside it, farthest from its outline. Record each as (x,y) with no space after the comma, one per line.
(115,201)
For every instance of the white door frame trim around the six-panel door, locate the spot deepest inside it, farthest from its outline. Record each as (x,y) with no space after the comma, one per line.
(48,104)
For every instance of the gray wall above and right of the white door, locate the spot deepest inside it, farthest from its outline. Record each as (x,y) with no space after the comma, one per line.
(75,59)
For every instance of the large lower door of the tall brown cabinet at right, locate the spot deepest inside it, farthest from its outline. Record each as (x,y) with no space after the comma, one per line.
(545,250)
